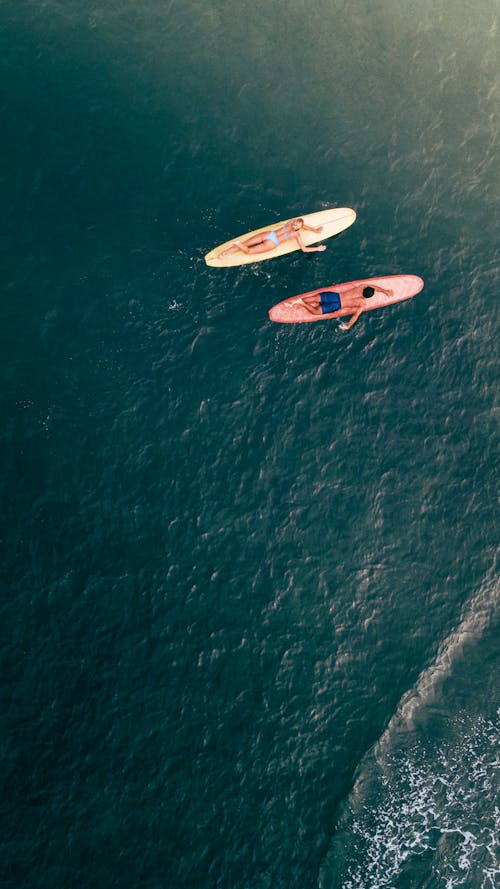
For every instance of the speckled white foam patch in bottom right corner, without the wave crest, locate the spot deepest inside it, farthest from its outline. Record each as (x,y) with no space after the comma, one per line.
(433,805)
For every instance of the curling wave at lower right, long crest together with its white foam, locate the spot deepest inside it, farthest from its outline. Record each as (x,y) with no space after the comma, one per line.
(422,804)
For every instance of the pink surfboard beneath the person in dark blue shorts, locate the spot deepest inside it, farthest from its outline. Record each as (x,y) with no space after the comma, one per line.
(403,286)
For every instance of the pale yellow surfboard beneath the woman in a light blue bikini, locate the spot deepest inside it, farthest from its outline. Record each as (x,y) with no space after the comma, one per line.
(332,222)
